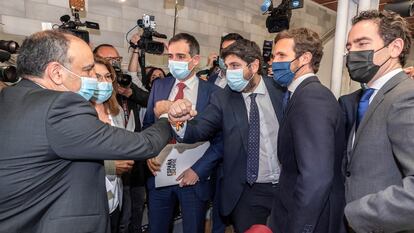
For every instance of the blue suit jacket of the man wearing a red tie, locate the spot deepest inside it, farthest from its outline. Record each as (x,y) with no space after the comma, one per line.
(161,90)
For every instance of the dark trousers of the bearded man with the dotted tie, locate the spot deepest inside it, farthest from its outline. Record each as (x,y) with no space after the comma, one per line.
(254,206)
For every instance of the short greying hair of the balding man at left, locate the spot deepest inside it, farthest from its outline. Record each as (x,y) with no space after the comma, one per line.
(41,48)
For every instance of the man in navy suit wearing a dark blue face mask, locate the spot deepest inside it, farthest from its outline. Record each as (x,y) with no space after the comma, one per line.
(310,142)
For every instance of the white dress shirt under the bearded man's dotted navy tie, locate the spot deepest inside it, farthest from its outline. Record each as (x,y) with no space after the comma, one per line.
(269,167)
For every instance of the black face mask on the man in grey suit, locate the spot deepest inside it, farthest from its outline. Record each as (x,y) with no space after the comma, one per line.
(361,65)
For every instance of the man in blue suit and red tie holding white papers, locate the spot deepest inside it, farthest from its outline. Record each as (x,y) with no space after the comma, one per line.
(194,189)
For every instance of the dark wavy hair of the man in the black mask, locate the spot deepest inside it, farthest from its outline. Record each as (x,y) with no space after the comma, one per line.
(390,27)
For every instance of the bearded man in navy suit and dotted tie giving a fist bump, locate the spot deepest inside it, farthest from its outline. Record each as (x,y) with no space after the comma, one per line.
(248,113)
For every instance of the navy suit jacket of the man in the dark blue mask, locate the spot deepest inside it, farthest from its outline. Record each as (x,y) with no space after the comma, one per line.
(310,149)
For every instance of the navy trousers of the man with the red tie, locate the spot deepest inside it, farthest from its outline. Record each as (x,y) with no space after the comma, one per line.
(161,202)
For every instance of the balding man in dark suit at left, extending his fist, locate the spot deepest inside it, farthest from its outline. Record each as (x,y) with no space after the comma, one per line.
(52,142)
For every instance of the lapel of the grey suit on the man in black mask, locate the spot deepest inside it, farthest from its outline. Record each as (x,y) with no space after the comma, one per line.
(379,97)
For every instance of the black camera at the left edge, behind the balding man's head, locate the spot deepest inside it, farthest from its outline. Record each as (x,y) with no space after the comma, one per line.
(7,70)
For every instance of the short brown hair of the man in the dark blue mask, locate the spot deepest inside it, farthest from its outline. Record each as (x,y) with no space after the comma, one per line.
(305,40)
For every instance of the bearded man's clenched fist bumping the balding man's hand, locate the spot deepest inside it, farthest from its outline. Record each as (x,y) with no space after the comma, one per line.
(180,111)
